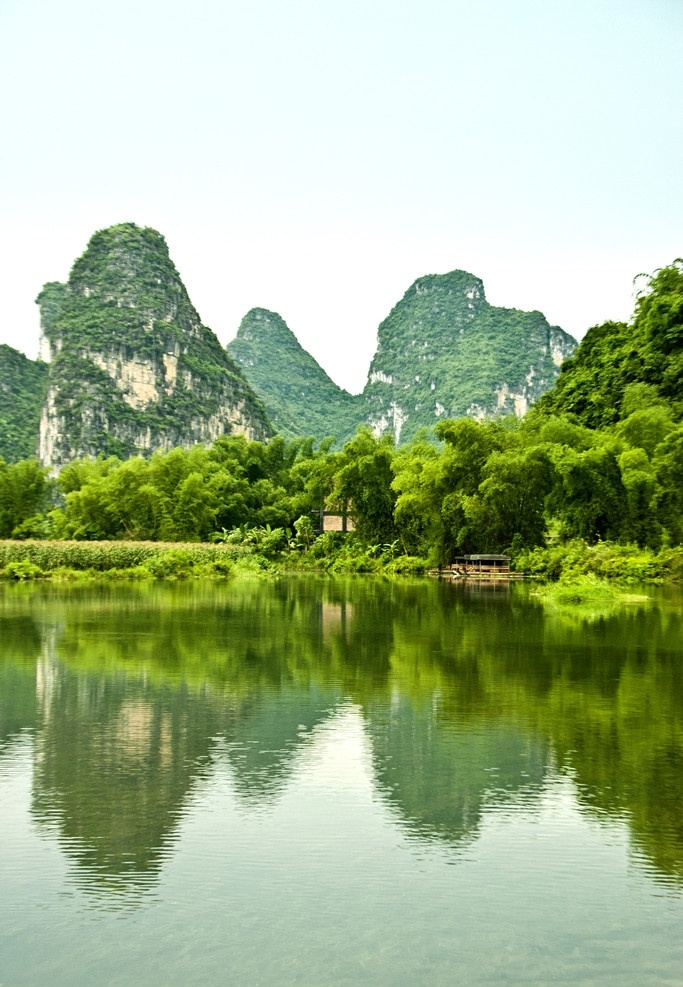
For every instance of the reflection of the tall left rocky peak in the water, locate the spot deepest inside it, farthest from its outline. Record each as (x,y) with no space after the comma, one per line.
(115,759)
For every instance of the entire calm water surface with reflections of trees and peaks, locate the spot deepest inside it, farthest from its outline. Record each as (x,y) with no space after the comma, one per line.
(333,782)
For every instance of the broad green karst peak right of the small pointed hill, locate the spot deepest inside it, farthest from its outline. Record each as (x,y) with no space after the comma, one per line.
(444,352)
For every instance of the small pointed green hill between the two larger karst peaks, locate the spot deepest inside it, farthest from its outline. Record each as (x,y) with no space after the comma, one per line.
(299,396)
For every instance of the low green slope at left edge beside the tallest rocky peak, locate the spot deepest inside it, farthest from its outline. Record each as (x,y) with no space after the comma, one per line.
(23,383)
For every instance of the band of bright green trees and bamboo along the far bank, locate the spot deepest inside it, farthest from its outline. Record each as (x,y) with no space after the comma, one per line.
(564,498)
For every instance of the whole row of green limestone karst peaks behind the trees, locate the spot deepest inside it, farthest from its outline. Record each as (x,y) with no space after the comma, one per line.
(128,367)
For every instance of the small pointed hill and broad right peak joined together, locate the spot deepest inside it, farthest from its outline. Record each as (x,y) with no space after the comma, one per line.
(442,352)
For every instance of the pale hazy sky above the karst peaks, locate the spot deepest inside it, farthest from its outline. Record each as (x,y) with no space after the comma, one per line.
(315,157)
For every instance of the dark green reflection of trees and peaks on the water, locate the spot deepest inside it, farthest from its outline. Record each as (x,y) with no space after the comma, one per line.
(467,697)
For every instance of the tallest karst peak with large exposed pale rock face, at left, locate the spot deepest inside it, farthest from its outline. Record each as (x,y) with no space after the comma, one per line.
(132,368)
